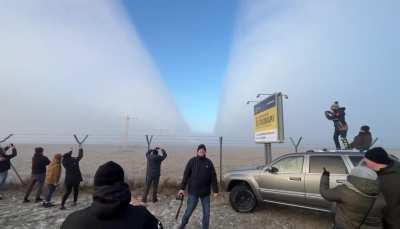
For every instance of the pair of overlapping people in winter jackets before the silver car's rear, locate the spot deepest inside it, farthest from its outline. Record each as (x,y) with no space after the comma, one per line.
(370,197)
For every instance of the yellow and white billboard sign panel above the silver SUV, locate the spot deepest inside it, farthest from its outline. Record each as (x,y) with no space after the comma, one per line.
(268,119)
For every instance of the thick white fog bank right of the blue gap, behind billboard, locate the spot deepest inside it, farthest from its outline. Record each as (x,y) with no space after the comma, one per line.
(316,52)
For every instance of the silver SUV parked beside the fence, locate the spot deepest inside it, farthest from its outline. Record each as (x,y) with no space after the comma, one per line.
(292,179)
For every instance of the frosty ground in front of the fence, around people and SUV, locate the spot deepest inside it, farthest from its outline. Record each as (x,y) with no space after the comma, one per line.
(14,214)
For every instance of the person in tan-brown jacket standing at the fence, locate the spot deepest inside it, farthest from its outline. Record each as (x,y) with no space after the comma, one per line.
(52,178)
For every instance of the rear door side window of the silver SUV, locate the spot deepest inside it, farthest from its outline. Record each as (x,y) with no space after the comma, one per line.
(333,164)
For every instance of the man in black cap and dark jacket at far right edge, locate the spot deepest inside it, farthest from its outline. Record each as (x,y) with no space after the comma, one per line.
(388,171)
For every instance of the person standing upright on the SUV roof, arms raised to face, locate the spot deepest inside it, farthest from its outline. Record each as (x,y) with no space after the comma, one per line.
(337,115)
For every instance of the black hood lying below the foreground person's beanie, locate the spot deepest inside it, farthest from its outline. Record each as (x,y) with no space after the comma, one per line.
(110,200)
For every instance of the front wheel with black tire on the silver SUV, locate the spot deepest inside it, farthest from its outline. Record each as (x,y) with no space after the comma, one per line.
(242,199)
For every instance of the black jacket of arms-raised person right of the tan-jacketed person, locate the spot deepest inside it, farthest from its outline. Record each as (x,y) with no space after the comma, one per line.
(73,174)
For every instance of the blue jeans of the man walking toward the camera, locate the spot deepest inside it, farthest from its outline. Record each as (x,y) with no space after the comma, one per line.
(191,206)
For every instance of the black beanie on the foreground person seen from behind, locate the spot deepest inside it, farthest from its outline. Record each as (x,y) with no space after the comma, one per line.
(108,174)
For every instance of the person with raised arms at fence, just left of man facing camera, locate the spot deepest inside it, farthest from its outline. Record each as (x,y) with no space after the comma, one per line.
(154,161)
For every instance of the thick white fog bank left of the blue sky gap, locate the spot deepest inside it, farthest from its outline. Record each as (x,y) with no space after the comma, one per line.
(77,66)
